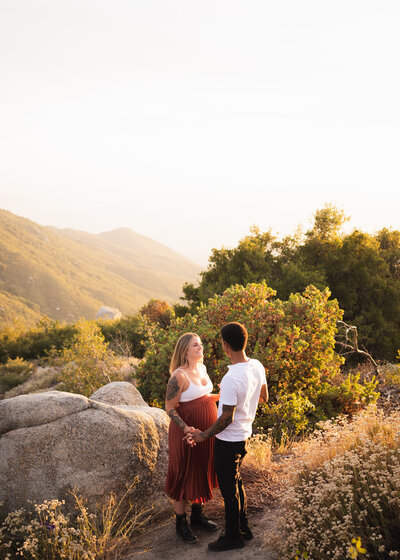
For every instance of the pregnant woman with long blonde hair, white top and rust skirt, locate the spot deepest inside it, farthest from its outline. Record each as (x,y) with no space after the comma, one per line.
(191,476)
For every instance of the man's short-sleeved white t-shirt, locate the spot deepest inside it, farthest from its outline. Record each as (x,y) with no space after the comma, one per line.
(241,387)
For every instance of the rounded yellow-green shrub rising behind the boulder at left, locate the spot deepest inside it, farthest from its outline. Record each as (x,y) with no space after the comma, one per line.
(88,363)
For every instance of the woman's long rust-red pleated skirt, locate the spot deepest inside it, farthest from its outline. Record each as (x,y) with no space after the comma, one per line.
(191,476)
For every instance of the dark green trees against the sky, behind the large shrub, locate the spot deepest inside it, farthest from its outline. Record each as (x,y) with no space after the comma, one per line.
(361,270)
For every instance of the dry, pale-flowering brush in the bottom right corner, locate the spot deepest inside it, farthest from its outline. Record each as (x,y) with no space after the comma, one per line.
(345,492)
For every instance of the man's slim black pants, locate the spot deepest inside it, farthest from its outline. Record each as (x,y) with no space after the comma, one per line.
(228,457)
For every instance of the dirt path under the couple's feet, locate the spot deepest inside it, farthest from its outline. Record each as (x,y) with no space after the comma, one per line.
(160,542)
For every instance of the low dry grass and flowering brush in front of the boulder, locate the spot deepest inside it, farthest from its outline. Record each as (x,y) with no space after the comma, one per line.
(45,532)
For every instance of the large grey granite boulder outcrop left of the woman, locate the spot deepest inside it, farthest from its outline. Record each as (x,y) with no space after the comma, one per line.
(55,441)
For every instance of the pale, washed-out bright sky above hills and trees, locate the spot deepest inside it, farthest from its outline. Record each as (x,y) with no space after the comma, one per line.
(190,121)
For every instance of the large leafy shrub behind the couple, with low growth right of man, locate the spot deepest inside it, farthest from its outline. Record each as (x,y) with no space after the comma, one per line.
(293,339)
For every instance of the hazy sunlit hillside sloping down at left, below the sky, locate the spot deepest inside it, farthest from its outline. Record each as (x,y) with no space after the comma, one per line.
(66,274)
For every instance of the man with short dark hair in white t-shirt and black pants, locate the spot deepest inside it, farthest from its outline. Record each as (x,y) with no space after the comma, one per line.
(242,388)
